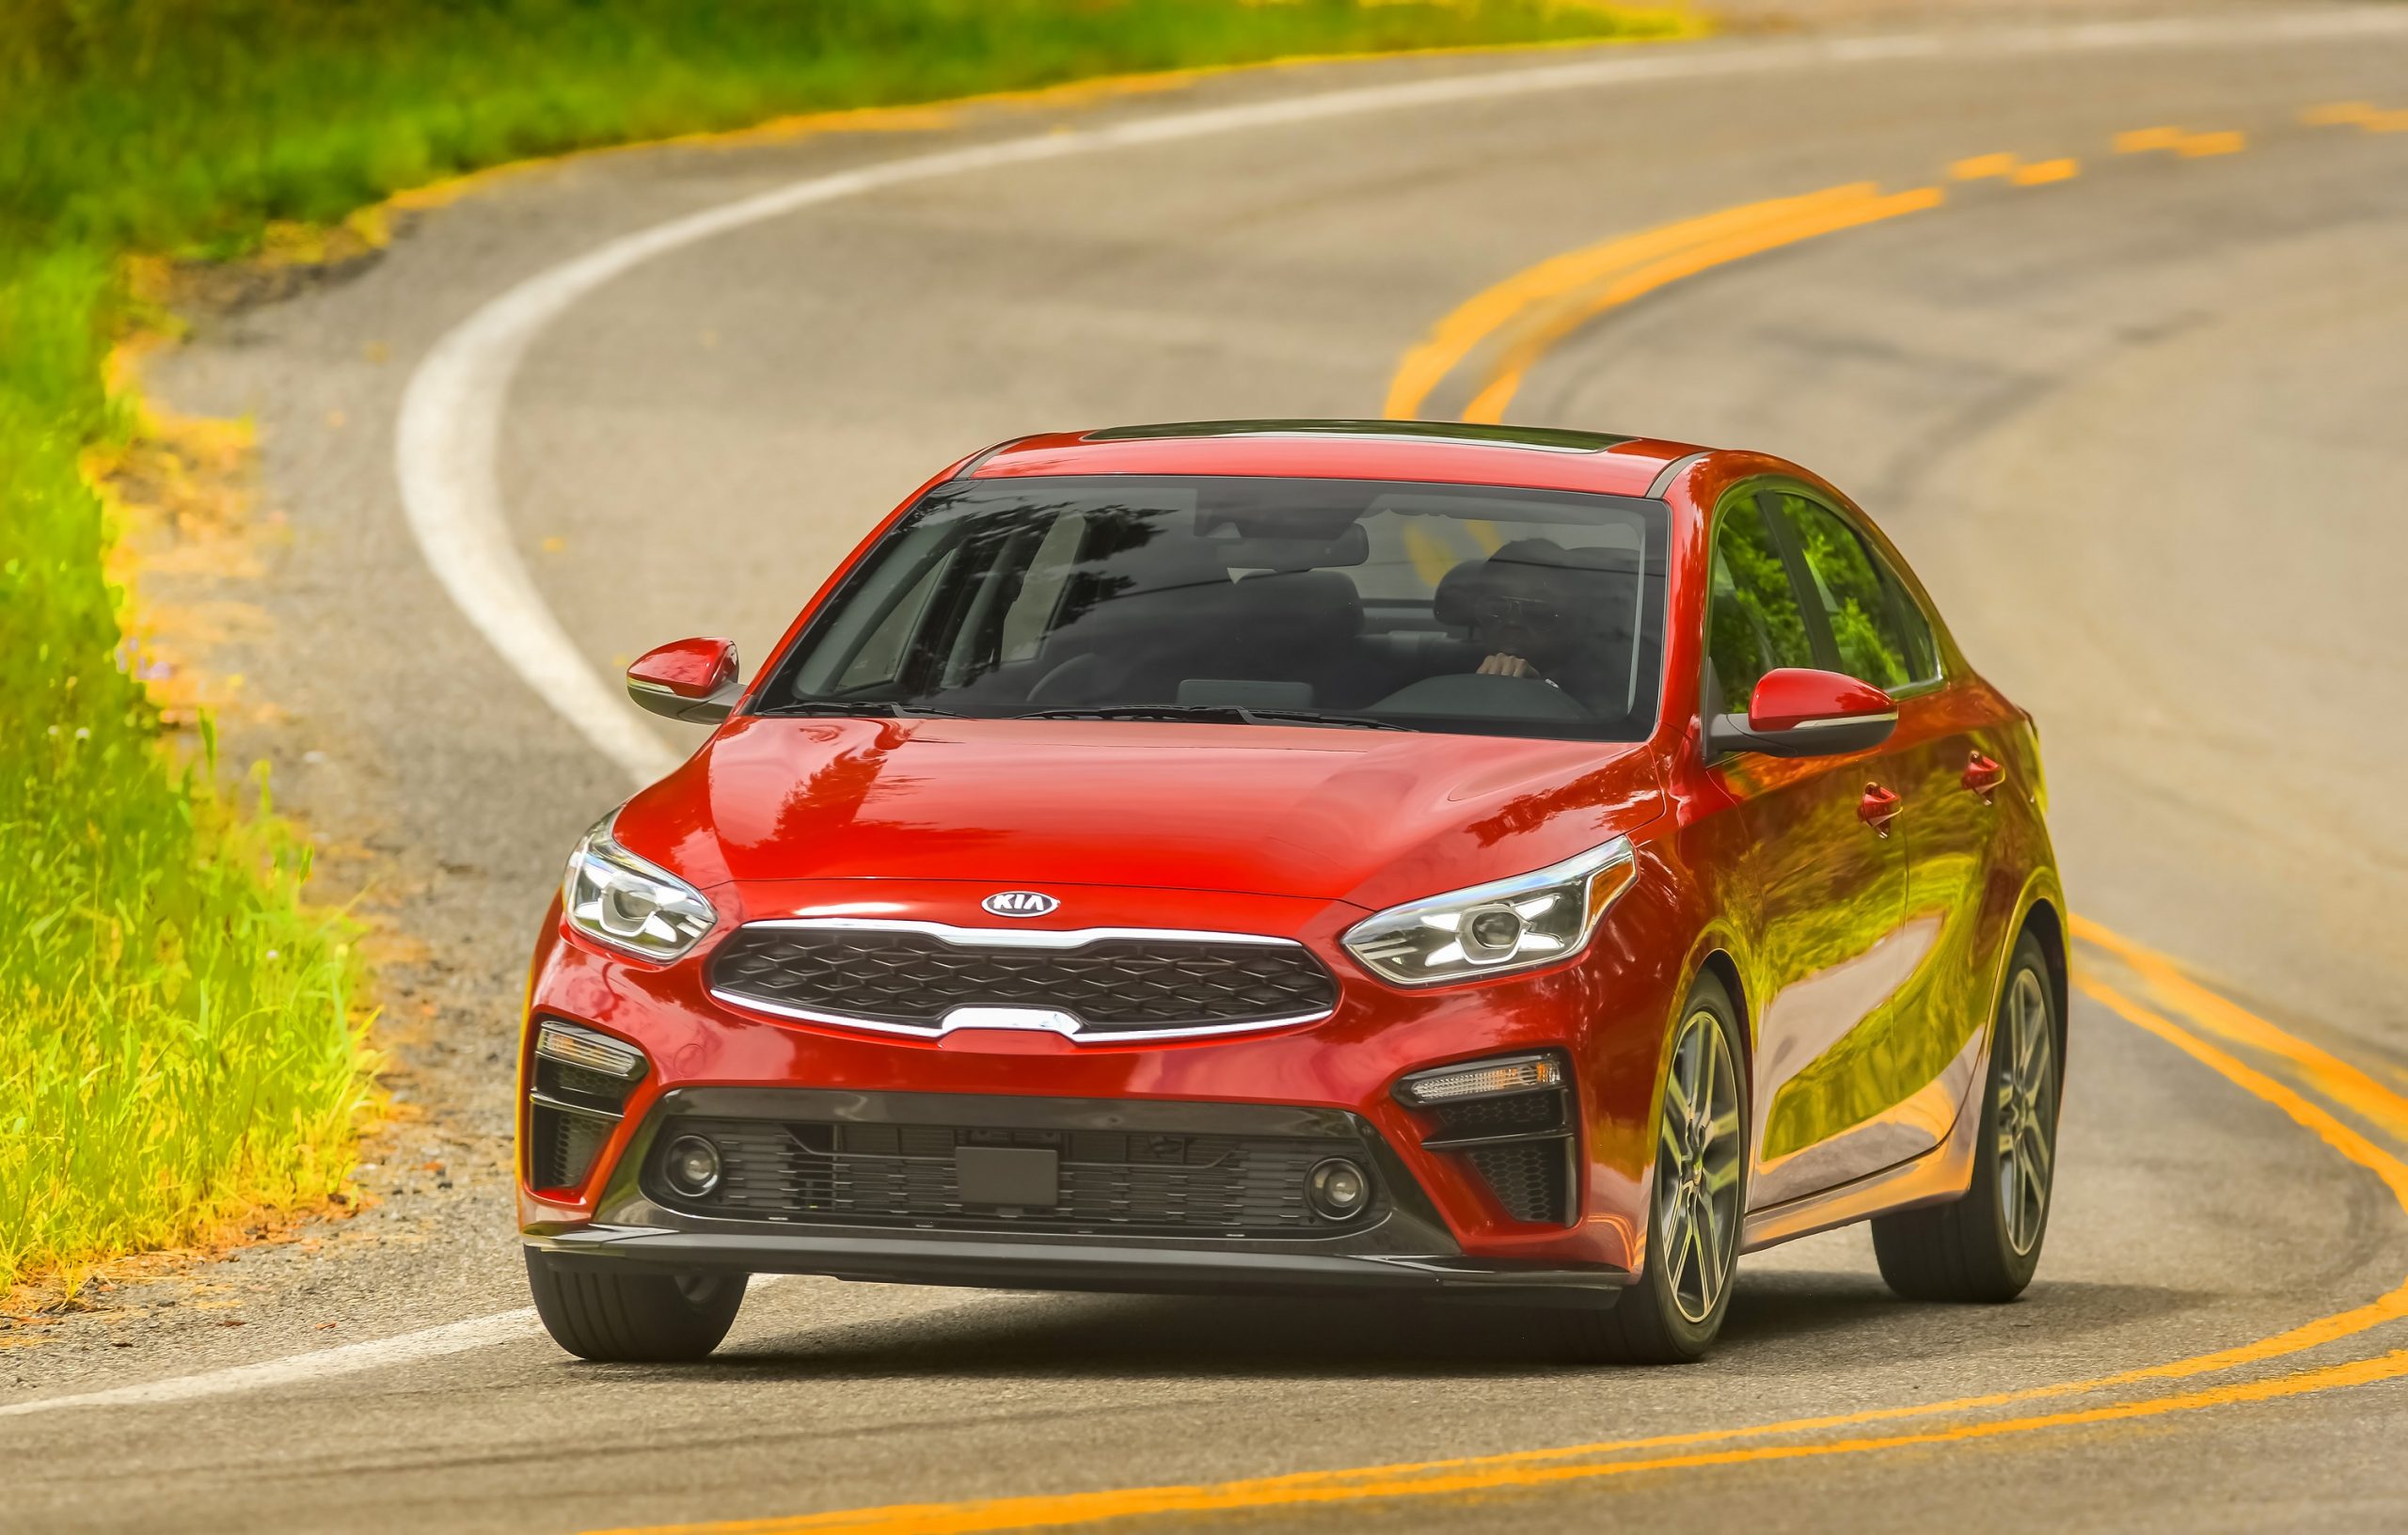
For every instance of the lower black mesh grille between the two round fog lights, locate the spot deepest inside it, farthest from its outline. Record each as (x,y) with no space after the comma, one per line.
(1138,1183)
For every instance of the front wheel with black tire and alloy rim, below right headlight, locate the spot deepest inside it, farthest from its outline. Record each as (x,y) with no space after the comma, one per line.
(1675,1312)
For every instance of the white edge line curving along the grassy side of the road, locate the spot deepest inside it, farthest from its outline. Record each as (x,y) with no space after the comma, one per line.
(451,425)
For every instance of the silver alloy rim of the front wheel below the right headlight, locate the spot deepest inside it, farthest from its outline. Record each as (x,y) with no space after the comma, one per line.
(1699,1168)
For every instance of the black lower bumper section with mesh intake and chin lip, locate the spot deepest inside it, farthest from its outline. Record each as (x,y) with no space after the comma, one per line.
(827,1183)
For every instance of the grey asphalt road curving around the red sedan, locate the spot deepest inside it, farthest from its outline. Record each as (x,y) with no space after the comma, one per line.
(2137,425)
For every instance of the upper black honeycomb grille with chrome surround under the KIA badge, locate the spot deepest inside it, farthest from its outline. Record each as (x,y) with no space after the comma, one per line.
(1121,985)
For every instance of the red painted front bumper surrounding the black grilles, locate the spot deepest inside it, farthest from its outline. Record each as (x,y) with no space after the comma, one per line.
(1603,1017)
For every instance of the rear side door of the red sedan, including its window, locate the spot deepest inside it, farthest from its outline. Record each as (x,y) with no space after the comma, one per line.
(1928,1057)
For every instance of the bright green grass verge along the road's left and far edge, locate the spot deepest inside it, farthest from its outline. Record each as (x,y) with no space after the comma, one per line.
(177,1033)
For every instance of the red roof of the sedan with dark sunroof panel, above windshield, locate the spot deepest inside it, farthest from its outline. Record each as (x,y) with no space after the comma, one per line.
(1417,451)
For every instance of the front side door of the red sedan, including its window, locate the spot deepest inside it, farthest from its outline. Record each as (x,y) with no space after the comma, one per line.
(1819,894)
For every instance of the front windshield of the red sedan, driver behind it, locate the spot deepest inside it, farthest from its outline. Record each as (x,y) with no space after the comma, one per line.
(1468,610)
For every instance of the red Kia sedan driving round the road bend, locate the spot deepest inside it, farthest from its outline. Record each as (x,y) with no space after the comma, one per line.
(1314,858)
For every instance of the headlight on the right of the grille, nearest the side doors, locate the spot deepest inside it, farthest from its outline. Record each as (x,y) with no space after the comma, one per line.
(1497,927)
